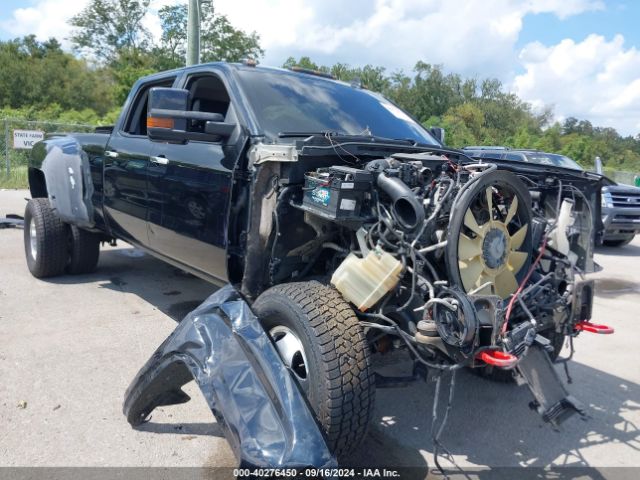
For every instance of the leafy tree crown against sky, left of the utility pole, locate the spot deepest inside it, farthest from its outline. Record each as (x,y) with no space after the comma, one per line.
(106,27)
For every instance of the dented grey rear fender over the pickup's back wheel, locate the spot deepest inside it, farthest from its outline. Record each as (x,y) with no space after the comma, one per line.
(68,176)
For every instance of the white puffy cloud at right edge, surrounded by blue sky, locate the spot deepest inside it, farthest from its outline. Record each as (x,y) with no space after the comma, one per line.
(596,79)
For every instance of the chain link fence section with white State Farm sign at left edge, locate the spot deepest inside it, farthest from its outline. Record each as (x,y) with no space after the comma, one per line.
(16,137)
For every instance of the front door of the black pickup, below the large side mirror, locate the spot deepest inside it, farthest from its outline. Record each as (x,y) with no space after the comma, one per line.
(193,185)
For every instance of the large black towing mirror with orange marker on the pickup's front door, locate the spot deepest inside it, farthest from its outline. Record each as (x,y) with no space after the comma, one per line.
(168,115)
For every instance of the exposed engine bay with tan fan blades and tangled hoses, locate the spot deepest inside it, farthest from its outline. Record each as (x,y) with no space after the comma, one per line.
(464,264)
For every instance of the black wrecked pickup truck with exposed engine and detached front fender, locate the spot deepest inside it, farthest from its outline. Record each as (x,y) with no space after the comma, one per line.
(345,230)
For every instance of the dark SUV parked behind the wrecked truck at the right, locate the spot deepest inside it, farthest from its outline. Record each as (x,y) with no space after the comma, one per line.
(620,205)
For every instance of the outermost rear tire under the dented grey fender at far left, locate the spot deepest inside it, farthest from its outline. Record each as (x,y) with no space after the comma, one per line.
(45,239)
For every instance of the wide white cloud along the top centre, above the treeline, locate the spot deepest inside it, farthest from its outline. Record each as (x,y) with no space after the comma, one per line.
(473,37)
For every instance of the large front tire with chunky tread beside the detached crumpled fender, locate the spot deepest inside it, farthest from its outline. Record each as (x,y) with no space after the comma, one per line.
(337,379)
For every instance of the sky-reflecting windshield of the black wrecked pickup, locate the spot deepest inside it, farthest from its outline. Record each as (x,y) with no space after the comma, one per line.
(295,102)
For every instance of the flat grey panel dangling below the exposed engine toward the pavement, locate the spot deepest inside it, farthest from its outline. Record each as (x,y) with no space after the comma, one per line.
(551,399)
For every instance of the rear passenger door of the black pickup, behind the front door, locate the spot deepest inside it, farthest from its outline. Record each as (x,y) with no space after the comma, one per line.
(127,155)
